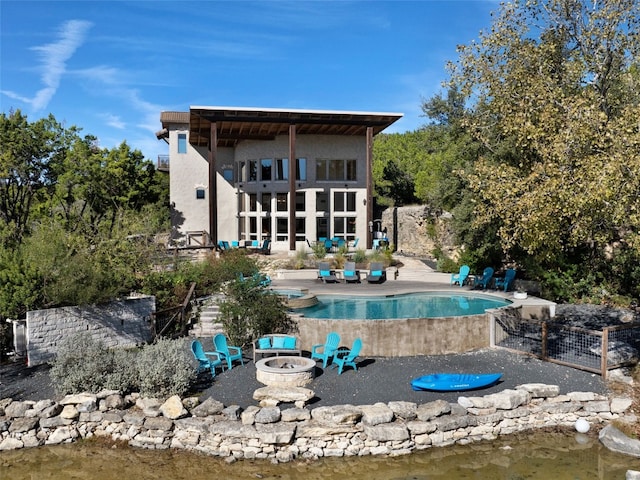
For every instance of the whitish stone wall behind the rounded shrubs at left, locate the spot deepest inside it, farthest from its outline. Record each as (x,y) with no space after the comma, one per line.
(116,324)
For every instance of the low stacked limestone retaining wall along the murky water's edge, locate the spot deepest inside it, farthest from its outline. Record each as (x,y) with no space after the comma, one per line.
(284,434)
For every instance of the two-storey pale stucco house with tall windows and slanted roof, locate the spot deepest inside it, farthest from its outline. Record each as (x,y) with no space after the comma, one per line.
(231,177)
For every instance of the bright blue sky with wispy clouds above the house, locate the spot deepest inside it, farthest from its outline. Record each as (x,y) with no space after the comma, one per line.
(111,67)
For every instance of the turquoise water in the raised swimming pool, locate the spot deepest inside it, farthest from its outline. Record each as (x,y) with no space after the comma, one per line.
(411,305)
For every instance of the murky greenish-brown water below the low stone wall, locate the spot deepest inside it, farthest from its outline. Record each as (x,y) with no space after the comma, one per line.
(538,456)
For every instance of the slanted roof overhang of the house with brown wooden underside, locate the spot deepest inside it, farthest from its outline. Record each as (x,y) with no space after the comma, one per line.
(234,124)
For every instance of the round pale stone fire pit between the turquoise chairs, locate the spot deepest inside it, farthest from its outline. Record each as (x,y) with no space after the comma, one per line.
(285,371)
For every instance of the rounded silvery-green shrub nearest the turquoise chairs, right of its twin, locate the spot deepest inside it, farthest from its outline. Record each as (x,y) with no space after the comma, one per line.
(165,368)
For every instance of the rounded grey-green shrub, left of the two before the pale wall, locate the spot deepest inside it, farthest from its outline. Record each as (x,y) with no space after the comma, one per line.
(81,365)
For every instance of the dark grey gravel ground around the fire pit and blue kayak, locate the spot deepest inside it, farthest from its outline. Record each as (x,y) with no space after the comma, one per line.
(377,379)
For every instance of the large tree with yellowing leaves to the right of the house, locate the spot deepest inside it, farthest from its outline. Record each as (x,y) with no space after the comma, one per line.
(553,92)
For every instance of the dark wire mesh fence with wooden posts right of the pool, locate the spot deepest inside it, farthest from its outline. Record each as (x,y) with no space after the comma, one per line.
(595,351)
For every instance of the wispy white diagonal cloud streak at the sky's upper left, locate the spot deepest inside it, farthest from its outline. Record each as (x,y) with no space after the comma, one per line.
(54,57)
